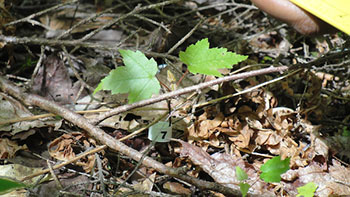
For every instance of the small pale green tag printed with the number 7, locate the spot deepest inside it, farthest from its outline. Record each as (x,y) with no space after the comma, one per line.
(160,132)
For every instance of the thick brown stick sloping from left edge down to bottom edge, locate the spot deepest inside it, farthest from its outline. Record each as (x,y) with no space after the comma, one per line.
(31,99)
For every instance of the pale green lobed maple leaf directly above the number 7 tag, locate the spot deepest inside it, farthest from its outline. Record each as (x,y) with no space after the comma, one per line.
(137,77)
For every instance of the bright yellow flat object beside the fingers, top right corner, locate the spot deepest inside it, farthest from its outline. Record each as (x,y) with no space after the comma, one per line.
(334,12)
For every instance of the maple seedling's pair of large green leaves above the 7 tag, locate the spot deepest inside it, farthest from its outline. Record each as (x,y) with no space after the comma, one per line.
(137,77)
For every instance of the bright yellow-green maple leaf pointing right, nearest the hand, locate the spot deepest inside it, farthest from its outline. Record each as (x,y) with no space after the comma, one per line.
(200,59)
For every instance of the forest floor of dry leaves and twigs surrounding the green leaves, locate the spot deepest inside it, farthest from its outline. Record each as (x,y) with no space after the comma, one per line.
(64,52)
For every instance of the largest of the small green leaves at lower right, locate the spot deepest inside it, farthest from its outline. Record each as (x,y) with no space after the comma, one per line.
(273,168)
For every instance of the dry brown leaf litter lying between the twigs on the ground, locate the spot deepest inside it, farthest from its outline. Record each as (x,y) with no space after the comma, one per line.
(287,118)
